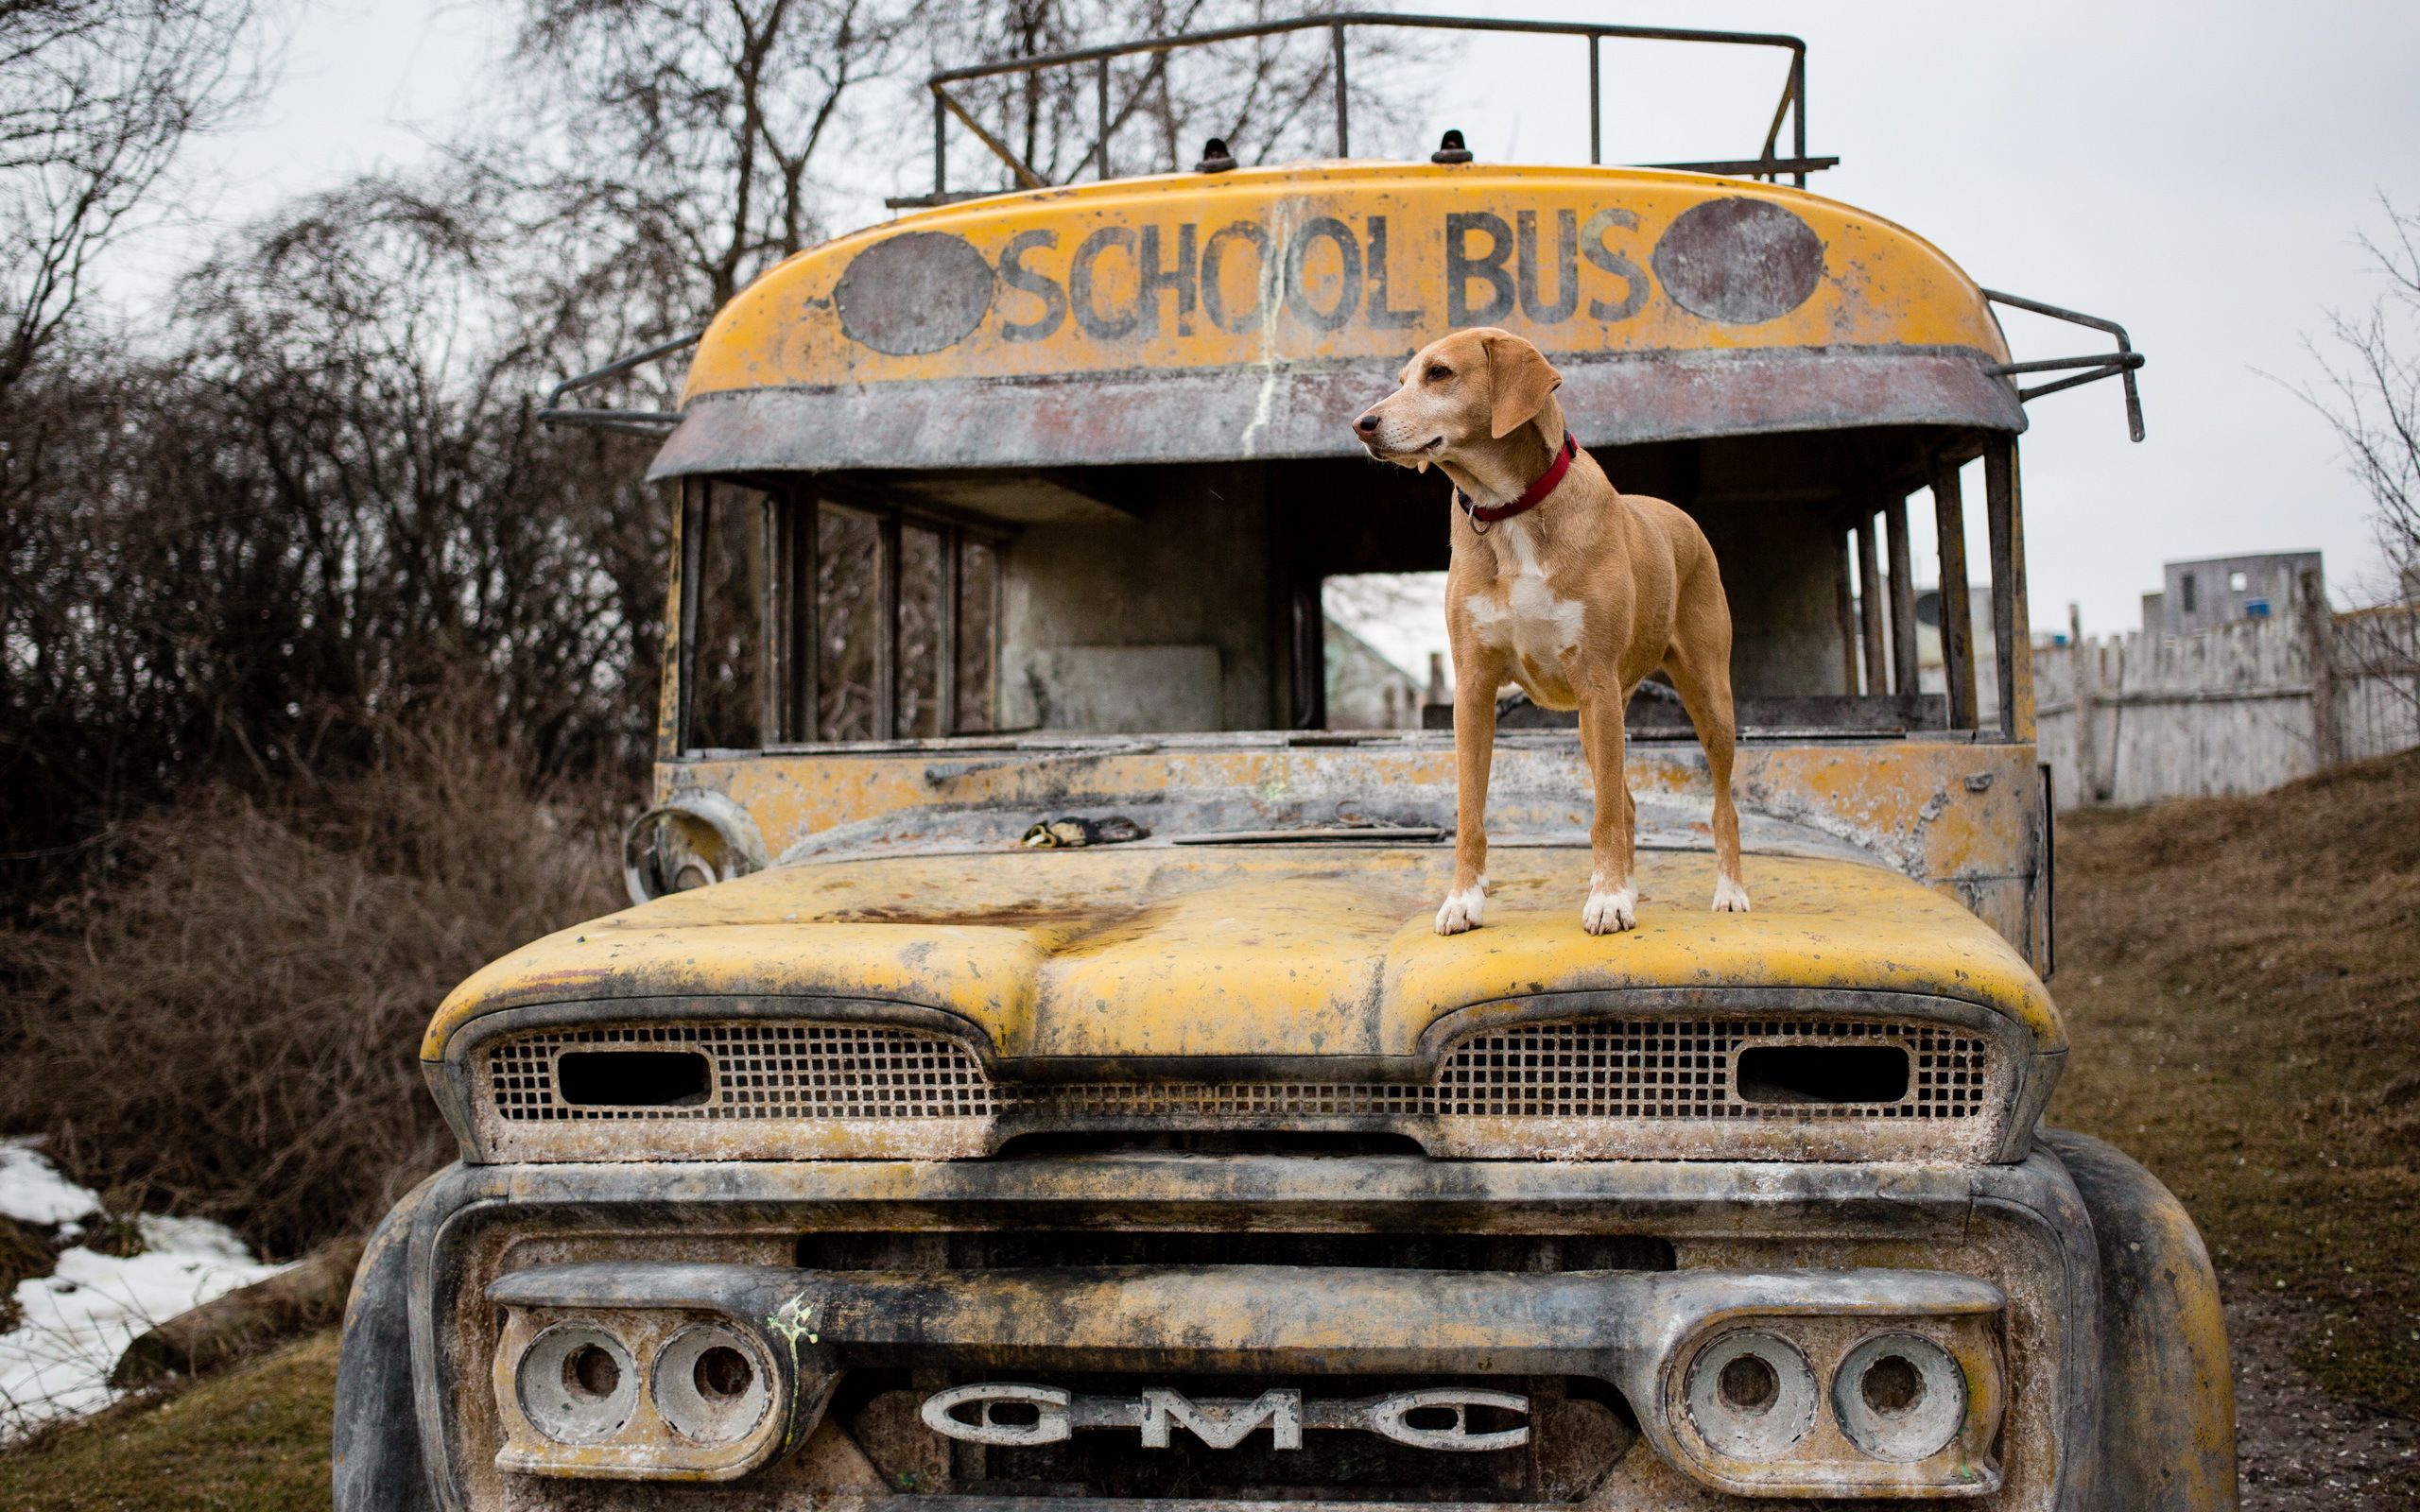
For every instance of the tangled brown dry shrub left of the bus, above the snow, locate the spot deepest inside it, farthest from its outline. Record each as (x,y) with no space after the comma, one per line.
(234,1029)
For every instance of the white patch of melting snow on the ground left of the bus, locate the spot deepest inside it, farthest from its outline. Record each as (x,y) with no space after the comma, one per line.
(76,1322)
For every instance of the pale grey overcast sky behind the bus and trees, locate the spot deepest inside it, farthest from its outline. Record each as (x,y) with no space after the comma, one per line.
(2196,173)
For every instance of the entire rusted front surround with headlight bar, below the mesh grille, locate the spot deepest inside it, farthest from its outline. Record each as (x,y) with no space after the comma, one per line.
(1990,1264)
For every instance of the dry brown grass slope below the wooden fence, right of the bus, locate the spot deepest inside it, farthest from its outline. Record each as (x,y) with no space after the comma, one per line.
(2242,979)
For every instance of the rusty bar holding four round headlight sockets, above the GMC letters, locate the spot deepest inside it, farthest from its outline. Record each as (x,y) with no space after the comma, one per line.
(1661,1339)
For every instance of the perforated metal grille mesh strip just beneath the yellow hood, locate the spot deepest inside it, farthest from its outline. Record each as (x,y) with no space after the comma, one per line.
(1555,1070)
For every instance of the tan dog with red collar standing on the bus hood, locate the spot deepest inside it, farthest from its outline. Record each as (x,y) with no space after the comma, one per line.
(1574,594)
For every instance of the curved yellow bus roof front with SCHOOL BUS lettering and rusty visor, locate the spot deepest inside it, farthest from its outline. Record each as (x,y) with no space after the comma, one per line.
(1255,313)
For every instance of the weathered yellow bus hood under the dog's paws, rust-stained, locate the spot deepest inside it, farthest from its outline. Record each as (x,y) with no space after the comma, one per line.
(1189,959)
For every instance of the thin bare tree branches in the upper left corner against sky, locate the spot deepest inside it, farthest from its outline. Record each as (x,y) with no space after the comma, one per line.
(96,100)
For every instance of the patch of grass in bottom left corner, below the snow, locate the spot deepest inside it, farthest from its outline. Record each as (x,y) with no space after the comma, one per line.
(250,1441)
